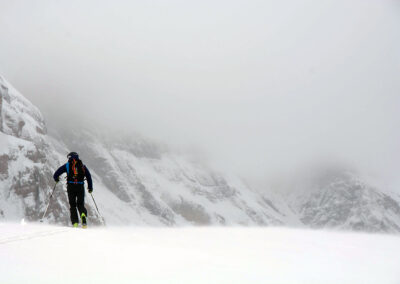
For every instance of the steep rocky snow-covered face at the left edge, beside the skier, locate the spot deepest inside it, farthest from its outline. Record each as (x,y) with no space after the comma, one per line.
(26,160)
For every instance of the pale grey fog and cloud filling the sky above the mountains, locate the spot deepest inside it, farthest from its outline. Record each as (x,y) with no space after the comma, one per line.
(258,87)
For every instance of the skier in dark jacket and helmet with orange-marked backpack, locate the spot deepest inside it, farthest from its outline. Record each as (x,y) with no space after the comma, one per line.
(76,172)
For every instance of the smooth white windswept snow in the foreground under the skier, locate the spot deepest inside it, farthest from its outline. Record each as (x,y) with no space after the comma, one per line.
(48,254)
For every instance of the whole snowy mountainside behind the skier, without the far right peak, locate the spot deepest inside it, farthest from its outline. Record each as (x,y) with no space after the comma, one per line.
(135,181)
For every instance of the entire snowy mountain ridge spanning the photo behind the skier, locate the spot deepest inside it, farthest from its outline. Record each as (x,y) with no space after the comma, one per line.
(139,182)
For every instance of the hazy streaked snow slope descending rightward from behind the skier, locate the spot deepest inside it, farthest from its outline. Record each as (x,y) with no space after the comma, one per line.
(153,186)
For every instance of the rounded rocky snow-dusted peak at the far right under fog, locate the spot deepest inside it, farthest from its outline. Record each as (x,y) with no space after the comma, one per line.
(342,200)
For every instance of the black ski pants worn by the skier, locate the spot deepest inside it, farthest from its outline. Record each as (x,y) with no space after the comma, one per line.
(76,197)
